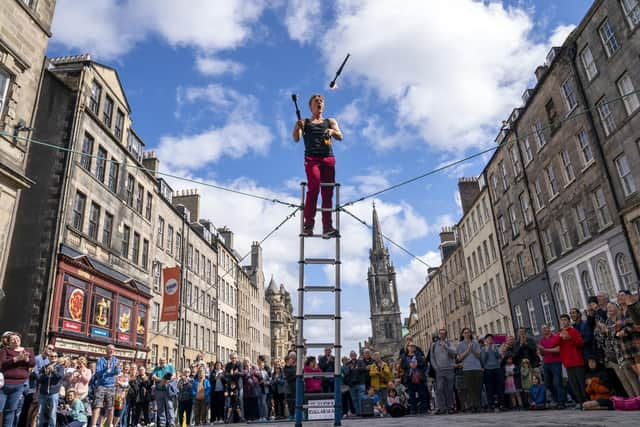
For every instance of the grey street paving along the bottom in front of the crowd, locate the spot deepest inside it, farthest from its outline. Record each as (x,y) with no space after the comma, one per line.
(568,417)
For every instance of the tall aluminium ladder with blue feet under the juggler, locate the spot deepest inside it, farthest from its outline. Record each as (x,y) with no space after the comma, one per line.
(301,343)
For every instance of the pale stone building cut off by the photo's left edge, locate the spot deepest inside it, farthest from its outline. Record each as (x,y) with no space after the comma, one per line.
(25,28)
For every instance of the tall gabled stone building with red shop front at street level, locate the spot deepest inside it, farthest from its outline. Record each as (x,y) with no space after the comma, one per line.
(92,206)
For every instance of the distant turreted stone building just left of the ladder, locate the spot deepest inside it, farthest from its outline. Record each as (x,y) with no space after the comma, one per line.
(282,321)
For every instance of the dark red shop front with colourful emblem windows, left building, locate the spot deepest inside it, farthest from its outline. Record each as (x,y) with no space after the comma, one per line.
(94,306)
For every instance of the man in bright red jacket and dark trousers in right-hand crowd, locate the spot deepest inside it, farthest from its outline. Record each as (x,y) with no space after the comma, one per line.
(570,342)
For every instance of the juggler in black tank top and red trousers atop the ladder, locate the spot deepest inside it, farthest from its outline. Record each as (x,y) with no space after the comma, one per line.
(319,164)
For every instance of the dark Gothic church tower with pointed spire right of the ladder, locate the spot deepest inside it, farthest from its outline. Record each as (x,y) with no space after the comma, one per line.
(386,326)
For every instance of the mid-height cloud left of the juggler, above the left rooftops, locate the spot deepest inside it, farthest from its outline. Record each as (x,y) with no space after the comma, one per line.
(240,134)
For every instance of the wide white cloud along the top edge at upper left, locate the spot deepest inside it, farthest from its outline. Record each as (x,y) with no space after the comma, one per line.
(110,28)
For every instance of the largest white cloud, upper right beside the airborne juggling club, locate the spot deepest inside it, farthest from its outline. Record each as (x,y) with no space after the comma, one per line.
(452,72)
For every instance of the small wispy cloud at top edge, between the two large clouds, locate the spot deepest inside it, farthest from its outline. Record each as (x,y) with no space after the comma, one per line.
(303,19)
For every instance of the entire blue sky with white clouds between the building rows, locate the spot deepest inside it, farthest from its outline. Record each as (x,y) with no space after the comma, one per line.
(209,83)
